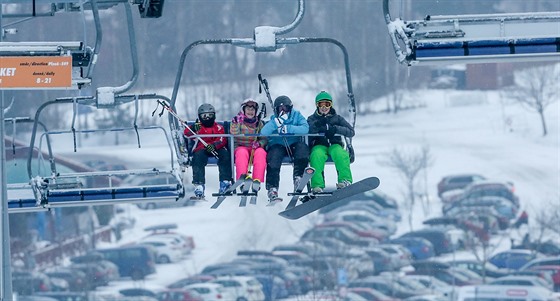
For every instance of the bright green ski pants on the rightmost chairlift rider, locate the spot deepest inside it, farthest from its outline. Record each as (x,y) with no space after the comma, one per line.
(318,158)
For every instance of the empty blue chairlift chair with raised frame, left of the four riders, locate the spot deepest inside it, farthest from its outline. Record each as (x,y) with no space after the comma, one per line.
(94,187)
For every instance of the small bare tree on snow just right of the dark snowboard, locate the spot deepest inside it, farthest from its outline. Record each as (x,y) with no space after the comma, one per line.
(408,163)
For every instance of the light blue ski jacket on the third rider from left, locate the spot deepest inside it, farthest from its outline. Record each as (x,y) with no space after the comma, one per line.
(295,124)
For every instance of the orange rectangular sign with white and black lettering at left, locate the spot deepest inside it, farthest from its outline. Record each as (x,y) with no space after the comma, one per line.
(35,72)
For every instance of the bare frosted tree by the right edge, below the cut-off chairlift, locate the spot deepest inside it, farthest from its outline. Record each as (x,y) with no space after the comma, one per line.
(536,88)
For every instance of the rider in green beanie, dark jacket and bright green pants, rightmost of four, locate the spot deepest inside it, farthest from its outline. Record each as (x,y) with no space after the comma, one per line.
(325,120)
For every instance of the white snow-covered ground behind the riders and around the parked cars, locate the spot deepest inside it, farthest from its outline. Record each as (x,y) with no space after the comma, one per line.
(465,131)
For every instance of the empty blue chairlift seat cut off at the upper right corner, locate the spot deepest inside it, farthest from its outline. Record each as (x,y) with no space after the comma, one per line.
(480,38)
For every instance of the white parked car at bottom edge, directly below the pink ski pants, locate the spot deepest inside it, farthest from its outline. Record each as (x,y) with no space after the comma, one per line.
(242,287)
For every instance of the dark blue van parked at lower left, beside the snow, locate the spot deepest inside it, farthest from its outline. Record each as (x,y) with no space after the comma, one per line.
(136,261)
